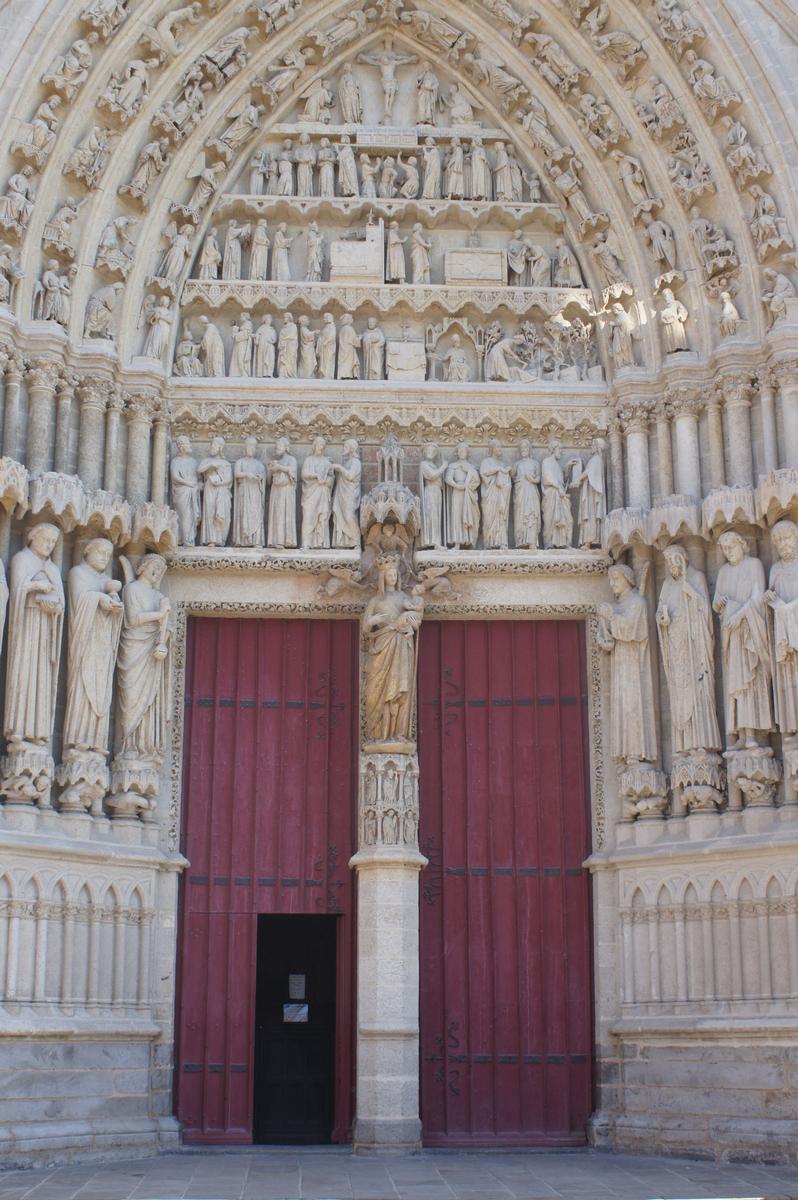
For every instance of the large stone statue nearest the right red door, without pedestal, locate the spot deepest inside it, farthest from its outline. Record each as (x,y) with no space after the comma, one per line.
(625,635)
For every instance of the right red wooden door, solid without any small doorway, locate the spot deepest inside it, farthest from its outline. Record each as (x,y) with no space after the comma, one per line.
(506,929)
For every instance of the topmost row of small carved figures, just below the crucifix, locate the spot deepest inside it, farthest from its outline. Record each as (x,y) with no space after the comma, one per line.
(460,172)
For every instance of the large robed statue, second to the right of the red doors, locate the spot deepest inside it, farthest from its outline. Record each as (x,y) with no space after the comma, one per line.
(687,643)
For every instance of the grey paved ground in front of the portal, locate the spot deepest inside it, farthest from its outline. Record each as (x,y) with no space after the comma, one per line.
(435,1175)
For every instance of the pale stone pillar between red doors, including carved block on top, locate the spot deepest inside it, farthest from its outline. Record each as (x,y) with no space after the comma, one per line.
(388,866)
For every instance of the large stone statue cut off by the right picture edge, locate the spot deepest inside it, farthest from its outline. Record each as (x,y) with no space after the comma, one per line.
(783,599)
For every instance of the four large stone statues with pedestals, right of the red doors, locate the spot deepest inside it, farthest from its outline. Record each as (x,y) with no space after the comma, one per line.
(759,655)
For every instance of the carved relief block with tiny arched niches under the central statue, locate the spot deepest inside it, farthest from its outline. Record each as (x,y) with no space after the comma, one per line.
(389,802)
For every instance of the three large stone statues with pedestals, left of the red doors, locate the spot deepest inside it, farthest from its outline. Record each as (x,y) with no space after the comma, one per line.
(116,635)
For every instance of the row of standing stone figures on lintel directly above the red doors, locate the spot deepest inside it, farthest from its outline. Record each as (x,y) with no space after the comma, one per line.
(220,501)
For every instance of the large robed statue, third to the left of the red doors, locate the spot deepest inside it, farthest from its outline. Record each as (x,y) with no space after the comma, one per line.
(35,628)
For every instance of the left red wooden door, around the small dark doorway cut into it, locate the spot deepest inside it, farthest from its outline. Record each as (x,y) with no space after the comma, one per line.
(268,827)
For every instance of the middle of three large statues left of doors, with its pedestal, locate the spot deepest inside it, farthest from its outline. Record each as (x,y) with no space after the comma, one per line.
(95,622)
